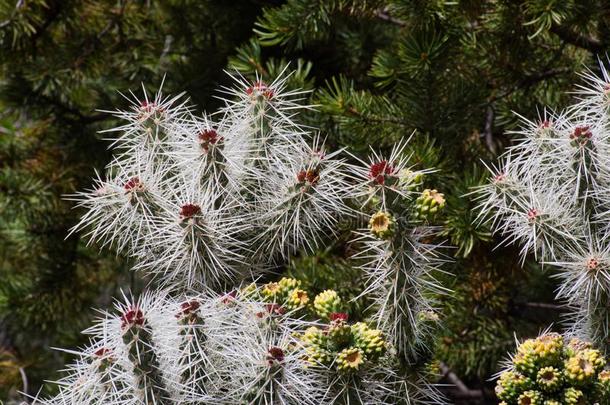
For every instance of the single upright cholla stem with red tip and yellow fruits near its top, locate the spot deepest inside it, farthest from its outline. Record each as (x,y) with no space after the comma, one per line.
(397,257)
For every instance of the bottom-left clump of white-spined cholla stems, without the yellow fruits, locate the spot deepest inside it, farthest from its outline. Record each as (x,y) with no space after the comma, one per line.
(199,349)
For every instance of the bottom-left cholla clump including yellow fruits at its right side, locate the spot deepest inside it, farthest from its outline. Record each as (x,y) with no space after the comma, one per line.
(229,349)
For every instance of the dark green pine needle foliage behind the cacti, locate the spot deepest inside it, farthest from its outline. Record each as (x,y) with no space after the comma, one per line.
(452,71)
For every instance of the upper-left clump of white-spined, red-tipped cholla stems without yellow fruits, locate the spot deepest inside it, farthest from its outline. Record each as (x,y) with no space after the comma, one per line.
(199,202)
